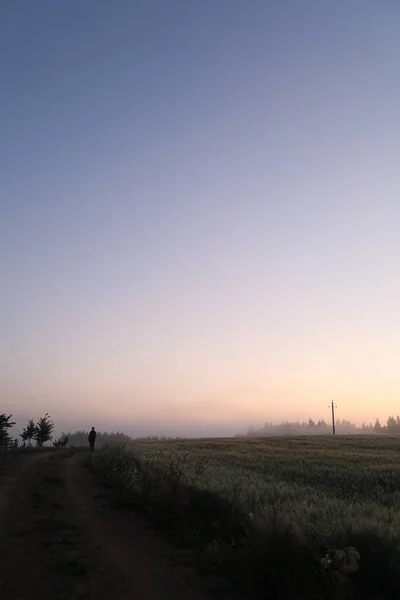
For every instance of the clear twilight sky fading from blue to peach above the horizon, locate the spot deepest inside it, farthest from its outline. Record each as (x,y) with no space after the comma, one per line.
(199,211)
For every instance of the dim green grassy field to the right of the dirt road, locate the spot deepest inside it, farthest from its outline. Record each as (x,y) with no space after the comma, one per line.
(283,518)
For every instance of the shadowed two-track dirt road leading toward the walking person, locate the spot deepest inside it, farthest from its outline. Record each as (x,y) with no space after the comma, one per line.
(59,540)
